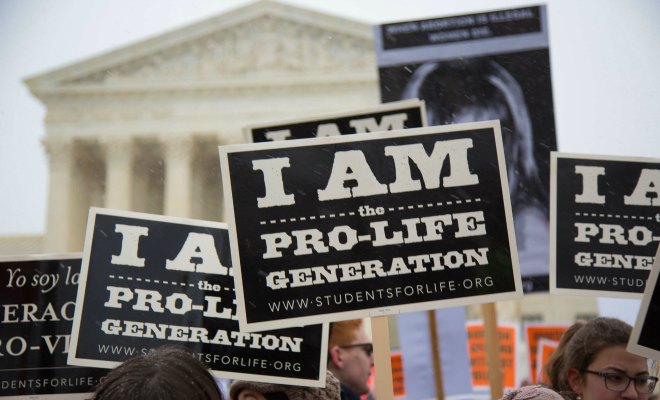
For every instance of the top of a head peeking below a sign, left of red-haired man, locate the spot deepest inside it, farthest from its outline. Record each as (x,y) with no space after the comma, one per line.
(247,390)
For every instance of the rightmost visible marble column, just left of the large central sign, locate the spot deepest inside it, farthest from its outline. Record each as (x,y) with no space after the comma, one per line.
(178,155)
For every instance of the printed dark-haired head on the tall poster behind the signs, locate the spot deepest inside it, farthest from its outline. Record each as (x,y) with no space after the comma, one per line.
(470,90)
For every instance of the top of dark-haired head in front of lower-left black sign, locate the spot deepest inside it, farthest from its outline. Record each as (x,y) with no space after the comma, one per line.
(166,373)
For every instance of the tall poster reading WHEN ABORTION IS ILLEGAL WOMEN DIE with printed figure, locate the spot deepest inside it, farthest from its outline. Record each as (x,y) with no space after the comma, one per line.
(474,67)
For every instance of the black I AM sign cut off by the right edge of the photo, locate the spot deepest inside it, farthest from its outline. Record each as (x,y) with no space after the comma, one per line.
(605,224)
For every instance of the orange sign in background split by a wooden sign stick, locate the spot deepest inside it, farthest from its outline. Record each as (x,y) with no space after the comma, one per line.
(507,338)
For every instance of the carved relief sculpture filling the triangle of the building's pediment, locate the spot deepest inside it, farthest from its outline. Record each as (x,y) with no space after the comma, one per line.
(265,46)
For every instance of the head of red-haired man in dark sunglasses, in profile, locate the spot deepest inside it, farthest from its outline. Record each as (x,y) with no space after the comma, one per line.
(350,357)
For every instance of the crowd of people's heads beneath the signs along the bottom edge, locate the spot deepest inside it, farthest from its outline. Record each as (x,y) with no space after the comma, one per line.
(590,363)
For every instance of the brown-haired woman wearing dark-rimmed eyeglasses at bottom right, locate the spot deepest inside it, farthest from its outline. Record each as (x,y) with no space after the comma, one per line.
(591,363)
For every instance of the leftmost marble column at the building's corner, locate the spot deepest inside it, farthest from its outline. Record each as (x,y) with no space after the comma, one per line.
(59,235)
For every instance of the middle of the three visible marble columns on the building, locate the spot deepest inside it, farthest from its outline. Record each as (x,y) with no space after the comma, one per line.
(119,172)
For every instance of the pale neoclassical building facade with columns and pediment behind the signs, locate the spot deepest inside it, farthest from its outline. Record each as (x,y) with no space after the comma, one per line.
(138,128)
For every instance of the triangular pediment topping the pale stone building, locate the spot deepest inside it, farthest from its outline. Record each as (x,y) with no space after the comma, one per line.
(265,39)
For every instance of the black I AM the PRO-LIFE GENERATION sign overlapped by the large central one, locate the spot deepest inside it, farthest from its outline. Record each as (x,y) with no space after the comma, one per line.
(150,280)
